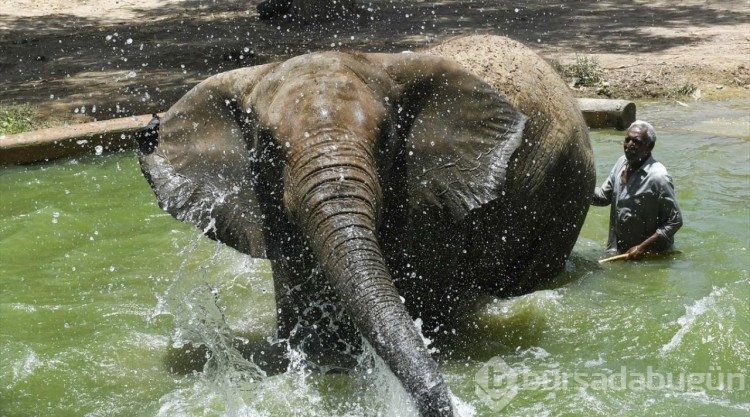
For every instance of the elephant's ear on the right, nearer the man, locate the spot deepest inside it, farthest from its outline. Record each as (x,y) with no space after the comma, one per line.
(458,133)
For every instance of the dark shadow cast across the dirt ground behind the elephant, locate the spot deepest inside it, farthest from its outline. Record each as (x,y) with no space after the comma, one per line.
(94,67)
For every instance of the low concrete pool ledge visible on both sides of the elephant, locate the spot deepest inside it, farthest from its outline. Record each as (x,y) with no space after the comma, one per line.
(117,134)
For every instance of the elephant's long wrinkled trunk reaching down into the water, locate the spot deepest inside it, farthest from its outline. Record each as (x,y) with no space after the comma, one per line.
(335,191)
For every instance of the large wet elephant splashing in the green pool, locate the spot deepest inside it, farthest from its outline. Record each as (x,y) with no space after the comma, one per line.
(383,188)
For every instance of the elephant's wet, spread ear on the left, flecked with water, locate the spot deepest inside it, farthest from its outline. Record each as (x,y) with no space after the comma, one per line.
(202,168)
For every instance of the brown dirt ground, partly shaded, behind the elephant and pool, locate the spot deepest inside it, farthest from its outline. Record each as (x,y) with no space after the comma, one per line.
(79,60)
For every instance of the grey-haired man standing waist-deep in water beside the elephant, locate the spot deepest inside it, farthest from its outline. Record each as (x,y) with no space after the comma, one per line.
(645,215)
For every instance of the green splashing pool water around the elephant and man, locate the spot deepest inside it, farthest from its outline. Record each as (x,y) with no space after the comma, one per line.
(95,281)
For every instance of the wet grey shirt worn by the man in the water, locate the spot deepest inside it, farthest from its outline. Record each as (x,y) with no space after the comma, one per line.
(645,205)
